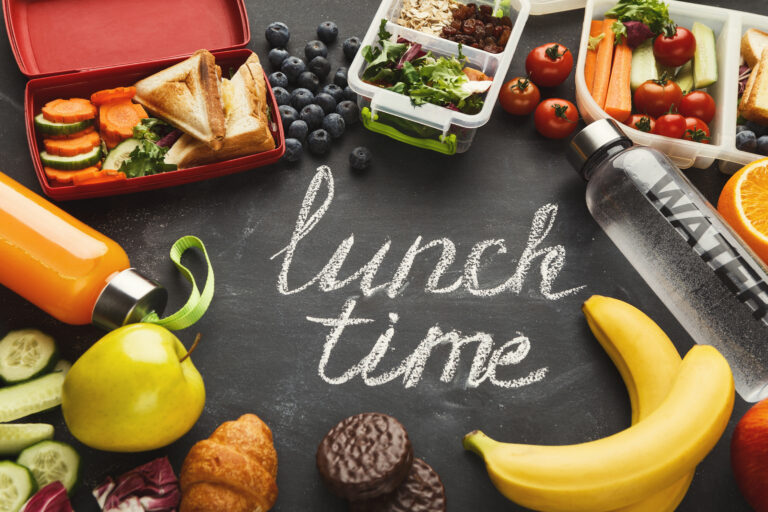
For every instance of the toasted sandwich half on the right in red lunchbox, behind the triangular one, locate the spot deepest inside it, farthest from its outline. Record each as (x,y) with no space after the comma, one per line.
(247,123)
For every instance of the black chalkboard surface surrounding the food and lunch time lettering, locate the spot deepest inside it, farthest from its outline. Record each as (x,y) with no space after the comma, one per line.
(260,354)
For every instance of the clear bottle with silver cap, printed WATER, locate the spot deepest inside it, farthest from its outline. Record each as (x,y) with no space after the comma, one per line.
(702,271)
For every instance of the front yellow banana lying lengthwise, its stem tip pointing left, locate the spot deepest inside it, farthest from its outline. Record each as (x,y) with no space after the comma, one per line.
(626,467)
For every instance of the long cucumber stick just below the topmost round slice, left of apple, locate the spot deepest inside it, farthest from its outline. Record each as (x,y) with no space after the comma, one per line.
(29,397)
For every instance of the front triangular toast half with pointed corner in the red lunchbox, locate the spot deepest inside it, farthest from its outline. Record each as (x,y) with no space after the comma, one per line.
(188,96)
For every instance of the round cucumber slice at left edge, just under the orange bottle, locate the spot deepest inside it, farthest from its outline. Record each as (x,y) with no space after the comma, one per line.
(26,353)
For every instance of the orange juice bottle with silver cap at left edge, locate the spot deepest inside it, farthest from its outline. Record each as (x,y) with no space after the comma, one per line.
(66,268)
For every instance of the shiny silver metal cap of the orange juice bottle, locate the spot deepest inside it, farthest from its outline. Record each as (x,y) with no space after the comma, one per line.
(127,298)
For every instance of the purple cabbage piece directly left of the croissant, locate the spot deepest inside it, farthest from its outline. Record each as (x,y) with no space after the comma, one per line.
(152,487)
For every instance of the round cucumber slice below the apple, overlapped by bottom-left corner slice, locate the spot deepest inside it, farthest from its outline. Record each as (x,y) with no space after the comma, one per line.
(51,461)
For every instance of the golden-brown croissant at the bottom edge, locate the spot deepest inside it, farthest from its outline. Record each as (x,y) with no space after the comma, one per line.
(234,470)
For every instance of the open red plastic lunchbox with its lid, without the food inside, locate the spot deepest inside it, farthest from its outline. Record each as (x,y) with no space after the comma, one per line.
(141,40)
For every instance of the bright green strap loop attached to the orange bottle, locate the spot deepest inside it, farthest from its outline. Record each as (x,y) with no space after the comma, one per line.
(198,303)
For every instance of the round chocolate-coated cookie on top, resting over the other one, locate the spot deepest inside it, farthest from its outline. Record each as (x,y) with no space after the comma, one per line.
(365,456)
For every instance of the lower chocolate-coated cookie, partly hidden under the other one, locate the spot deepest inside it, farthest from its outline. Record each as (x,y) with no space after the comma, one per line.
(422,491)
